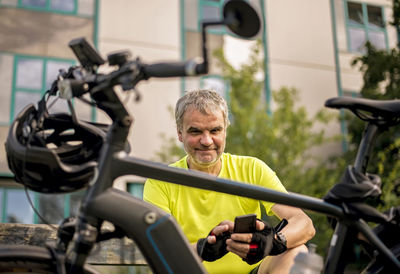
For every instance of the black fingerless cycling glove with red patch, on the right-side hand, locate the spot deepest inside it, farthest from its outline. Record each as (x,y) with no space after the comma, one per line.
(264,243)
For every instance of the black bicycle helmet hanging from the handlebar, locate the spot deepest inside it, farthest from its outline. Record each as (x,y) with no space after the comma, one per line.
(52,153)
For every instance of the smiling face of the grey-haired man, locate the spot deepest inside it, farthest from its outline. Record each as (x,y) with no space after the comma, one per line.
(203,137)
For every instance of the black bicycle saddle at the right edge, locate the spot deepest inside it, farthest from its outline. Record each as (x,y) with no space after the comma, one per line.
(387,109)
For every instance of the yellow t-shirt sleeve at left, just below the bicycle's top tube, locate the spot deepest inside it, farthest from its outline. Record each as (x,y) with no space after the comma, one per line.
(156,192)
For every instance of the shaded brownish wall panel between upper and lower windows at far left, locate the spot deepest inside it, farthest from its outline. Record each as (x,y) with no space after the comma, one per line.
(39,33)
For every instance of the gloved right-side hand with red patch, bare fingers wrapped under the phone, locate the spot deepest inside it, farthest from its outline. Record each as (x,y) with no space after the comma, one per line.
(253,247)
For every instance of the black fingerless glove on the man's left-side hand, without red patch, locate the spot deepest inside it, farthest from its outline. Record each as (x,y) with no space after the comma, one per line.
(211,252)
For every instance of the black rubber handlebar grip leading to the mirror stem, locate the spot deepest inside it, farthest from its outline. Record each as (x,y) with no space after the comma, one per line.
(175,69)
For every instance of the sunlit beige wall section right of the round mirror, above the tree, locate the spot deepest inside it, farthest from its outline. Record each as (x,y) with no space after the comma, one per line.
(301,54)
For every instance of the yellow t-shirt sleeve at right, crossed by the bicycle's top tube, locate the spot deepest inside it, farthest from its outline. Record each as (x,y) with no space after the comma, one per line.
(268,179)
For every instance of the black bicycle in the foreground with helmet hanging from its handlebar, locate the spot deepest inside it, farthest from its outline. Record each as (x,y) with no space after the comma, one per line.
(92,156)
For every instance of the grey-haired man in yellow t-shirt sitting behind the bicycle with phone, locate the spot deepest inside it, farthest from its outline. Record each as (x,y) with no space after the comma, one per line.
(206,217)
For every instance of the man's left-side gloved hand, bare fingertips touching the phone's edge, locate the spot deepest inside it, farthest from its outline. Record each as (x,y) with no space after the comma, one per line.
(213,246)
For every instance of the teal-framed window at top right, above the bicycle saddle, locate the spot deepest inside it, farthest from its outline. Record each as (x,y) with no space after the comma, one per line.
(365,23)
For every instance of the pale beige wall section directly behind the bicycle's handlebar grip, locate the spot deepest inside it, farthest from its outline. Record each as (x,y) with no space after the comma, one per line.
(151,31)
